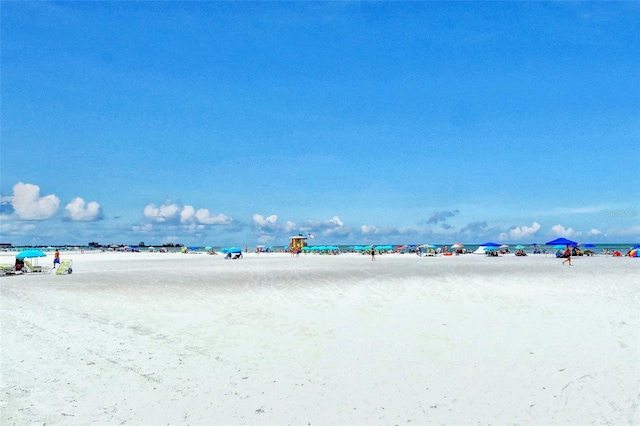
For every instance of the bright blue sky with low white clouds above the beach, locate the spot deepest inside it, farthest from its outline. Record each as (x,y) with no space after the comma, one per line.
(218,123)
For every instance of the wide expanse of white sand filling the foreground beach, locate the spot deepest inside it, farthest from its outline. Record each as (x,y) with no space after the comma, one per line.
(151,338)
